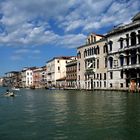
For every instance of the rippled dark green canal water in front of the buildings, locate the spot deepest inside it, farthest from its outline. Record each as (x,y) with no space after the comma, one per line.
(69,115)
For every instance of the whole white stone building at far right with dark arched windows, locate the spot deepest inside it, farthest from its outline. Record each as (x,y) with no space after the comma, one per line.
(124,56)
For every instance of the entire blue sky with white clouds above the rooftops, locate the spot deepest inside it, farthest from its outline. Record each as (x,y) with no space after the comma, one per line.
(34,31)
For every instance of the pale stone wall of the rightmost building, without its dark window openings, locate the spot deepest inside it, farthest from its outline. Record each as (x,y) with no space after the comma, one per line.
(121,48)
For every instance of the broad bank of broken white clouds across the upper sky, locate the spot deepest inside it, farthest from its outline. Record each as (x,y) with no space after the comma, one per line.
(27,22)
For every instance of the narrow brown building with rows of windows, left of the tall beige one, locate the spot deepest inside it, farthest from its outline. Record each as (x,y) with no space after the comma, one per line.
(71,74)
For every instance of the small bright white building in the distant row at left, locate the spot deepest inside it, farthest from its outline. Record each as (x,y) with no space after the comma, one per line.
(27,77)
